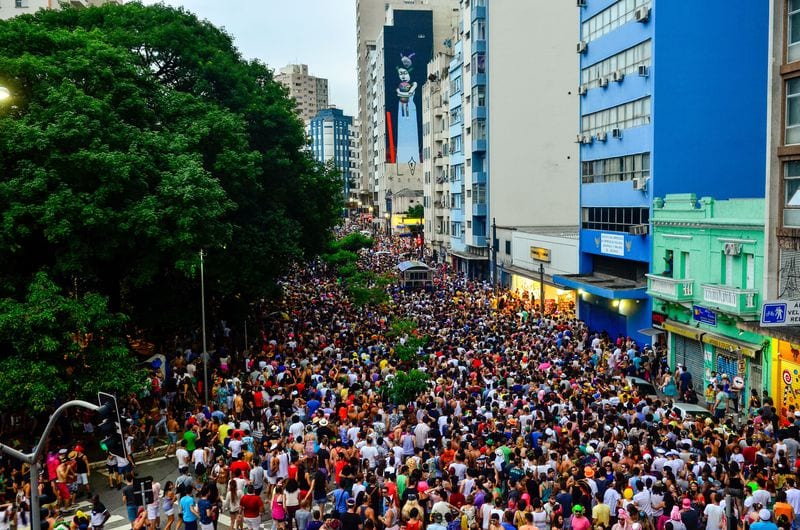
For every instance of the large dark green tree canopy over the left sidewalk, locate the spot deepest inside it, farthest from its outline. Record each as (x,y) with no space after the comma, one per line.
(136,136)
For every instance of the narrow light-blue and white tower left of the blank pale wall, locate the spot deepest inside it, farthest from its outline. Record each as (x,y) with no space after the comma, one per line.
(469,192)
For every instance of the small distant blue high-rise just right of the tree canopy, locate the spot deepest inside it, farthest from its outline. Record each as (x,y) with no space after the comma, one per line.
(330,140)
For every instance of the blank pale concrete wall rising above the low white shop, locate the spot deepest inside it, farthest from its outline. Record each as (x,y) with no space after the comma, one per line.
(532,112)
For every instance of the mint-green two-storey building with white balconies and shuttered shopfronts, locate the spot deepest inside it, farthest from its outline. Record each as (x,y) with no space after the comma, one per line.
(708,262)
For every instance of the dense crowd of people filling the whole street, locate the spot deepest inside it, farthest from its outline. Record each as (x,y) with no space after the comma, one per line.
(528,423)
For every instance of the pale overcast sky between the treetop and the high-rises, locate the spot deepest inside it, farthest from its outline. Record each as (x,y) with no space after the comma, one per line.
(319,33)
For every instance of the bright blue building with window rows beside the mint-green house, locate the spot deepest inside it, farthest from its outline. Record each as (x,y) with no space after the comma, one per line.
(673,99)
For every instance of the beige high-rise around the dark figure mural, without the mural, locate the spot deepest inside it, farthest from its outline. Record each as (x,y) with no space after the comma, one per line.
(371,16)
